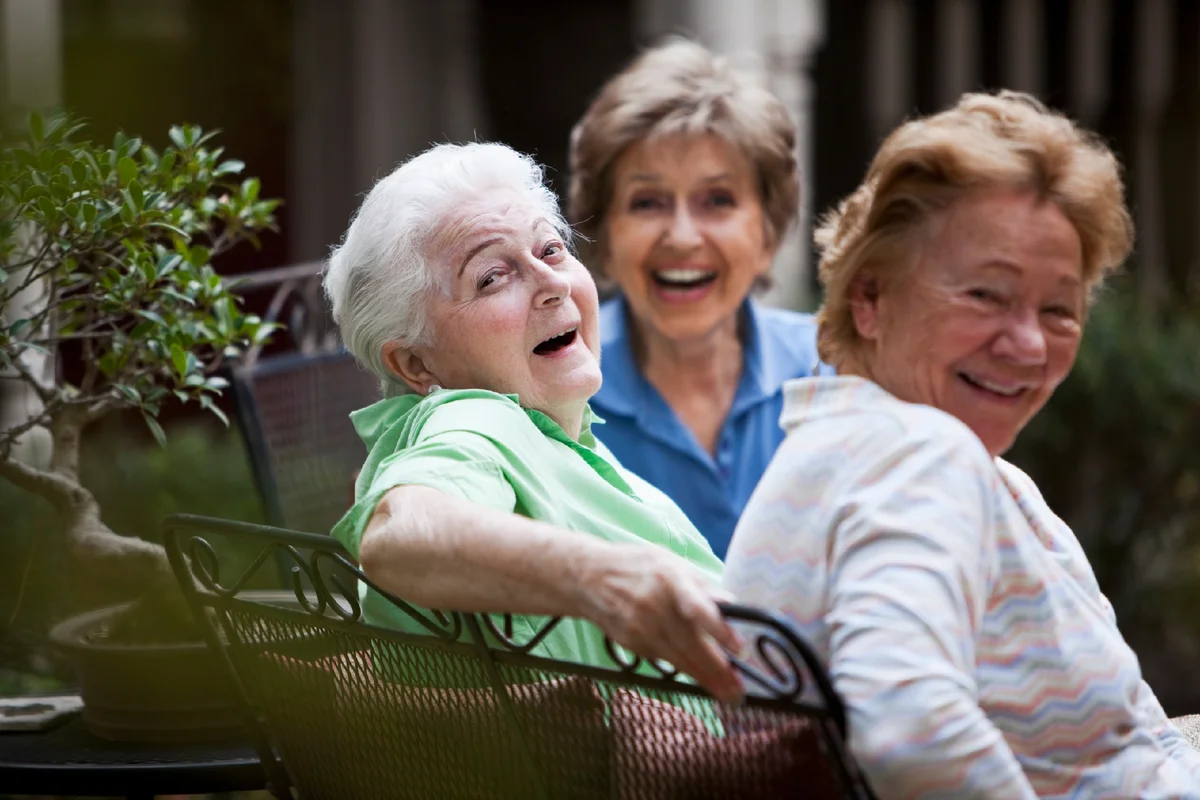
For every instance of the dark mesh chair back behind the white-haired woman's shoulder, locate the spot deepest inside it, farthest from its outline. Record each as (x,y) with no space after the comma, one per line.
(293,412)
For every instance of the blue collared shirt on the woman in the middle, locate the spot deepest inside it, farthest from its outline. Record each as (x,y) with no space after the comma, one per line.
(649,438)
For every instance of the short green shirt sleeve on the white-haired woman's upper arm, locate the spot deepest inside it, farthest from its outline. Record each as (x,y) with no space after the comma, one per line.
(459,464)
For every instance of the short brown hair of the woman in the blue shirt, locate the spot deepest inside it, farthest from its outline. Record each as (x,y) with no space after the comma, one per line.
(681,88)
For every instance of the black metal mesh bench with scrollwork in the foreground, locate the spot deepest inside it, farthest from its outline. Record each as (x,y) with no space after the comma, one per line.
(346,709)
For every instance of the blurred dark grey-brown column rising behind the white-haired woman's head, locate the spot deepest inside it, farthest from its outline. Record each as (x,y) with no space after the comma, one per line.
(376,82)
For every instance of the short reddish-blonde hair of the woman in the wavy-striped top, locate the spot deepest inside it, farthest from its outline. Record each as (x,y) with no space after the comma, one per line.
(1007,140)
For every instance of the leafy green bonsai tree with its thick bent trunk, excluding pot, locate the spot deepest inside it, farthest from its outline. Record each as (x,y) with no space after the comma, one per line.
(106,272)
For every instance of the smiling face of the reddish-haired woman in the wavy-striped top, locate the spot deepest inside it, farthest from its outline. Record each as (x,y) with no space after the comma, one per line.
(987,321)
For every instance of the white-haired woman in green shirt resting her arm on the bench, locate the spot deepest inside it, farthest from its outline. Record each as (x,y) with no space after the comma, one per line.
(484,489)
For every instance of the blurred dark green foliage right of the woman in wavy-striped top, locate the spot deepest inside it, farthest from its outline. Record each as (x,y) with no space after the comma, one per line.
(1117,453)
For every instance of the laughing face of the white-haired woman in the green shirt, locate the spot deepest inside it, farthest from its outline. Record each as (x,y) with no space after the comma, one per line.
(512,311)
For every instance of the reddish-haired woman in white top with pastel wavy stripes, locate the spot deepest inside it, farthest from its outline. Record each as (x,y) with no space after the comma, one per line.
(959,617)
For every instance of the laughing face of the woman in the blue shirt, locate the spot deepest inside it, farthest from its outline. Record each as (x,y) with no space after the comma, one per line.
(686,234)
